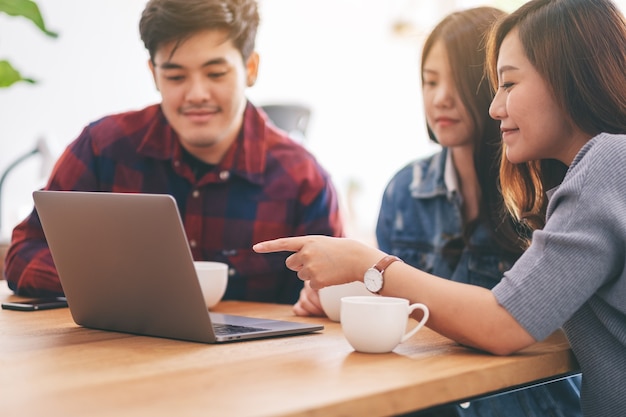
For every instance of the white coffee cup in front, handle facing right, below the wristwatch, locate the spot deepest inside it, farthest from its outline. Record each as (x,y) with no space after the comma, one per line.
(378,324)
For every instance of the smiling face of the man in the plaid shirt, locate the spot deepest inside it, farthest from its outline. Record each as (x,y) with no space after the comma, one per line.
(202,82)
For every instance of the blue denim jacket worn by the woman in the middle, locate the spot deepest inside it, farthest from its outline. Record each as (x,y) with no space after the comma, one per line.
(421,213)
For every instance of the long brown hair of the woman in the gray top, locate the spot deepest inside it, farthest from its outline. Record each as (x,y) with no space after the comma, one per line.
(579,48)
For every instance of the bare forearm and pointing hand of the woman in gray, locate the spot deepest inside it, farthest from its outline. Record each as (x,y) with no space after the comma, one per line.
(467,314)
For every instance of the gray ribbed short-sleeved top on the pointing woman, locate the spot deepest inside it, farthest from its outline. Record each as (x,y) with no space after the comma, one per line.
(574,273)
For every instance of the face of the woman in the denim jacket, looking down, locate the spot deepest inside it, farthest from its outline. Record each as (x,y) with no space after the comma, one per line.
(446,114)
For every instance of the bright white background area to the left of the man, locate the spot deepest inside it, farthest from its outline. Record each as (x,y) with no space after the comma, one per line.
(96,66)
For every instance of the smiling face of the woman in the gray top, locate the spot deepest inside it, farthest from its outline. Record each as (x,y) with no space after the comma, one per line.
(533,125)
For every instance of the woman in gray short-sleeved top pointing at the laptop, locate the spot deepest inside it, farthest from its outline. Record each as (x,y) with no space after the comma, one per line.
(558,68)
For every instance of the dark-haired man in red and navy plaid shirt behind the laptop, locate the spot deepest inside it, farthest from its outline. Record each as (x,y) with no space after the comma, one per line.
(236,178)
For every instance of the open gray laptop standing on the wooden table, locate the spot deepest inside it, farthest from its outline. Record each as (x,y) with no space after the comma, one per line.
(125,265)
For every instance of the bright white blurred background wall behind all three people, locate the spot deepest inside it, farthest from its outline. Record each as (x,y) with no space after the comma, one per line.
(338,56)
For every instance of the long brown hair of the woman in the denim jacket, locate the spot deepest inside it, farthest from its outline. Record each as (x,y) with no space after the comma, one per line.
(463,34)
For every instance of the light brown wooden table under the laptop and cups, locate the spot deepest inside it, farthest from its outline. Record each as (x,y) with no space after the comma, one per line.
(49,366)
